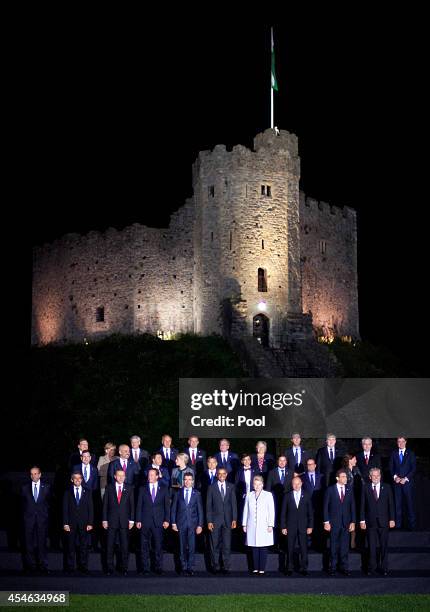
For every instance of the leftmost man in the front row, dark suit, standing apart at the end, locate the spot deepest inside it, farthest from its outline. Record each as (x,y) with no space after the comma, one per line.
(35,498)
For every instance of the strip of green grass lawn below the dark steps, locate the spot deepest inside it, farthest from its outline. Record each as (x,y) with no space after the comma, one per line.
(250,603)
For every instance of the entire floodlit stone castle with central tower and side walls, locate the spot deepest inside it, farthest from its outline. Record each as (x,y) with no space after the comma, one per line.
(248,254)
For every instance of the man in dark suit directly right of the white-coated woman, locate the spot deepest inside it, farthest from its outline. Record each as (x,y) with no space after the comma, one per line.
(297,522)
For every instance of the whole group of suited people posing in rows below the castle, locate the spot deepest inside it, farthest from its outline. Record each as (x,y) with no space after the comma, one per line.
(297,500)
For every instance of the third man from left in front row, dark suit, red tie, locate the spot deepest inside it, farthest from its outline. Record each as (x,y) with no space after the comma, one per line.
(118,518)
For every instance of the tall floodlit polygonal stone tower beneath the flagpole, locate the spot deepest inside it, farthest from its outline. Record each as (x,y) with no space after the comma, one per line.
(247,239)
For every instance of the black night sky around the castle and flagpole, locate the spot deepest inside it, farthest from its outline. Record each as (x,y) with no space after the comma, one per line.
(105,109)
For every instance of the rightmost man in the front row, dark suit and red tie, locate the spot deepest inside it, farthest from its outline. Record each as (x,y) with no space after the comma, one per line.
(377,517)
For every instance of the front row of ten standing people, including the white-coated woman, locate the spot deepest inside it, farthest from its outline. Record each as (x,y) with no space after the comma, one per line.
(155,512)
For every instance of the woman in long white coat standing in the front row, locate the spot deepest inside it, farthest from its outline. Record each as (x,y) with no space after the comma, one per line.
(258,522)
